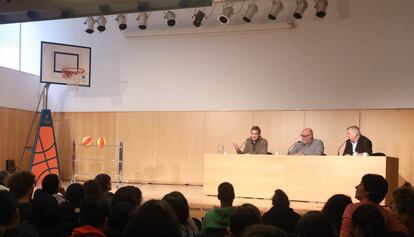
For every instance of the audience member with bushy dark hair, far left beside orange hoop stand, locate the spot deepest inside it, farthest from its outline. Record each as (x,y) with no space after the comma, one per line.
(22,185)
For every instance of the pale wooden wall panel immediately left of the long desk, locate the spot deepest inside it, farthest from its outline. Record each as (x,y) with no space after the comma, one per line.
(181,142)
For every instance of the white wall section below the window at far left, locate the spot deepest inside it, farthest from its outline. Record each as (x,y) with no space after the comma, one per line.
(18,90)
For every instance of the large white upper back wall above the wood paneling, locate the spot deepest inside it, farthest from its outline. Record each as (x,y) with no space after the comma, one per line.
(360,56)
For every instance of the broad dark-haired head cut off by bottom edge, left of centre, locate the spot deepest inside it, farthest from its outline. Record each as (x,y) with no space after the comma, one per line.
(154,218)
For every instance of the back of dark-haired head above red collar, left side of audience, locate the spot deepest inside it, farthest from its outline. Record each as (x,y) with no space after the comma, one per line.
(94,211)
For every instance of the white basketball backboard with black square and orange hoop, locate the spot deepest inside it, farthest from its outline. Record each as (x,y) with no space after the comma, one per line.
(65,64)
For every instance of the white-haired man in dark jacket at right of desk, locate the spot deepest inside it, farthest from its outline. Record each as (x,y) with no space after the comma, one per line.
(356,142)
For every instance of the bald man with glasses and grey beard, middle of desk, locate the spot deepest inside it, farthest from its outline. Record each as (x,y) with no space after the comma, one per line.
(308,146)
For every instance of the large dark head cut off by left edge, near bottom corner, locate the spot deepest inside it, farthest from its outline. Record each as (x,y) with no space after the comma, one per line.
(8,207)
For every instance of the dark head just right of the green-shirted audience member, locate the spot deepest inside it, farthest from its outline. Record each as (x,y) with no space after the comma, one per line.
(243,216)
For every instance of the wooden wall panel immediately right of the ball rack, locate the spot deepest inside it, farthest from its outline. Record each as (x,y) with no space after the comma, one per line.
(139,133)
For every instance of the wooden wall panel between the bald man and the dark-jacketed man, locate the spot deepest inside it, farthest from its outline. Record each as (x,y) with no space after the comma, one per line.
(330,125)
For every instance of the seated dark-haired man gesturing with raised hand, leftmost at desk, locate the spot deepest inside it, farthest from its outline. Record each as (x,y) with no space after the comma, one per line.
(255,144)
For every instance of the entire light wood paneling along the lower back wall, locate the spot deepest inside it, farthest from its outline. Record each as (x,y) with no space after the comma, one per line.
(169,146)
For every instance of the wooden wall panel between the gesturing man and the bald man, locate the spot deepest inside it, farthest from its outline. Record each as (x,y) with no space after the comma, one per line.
(280,128)
